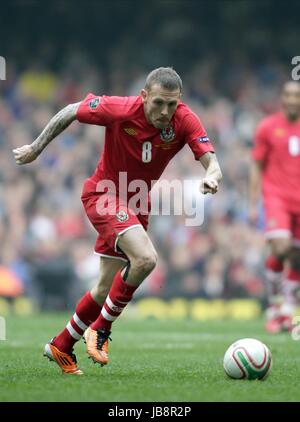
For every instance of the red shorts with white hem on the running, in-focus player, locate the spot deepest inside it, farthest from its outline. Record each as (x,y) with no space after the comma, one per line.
(111,217)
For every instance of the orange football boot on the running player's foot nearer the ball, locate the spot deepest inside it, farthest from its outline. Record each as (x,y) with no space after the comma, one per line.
(97,345)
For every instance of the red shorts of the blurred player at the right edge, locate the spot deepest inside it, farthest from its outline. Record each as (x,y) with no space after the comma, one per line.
(280,221)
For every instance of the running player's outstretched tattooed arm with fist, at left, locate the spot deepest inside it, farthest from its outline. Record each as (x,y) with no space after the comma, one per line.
(28,153)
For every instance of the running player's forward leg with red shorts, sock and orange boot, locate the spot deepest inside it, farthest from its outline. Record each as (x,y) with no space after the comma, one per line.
(118,226)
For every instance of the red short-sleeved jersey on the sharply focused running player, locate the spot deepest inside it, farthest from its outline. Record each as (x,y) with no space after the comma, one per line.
(134,146)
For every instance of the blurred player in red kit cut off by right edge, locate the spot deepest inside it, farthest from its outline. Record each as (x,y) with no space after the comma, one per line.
(276,167)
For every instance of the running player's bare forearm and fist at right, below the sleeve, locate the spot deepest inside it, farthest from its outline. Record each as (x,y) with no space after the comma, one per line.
(213,174)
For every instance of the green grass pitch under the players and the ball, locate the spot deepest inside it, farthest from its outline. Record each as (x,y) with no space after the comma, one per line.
(150,361)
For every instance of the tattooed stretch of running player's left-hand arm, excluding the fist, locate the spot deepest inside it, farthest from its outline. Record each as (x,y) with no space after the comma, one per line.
(57,124)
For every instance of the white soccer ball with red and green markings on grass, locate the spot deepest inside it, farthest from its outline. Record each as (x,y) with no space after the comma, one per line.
(247,359)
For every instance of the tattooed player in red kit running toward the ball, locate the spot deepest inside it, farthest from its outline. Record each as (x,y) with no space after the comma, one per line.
(142,135)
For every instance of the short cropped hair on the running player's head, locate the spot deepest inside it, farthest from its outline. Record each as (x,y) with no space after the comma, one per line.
(166,77)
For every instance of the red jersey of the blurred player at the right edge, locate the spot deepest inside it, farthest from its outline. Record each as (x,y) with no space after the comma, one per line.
(277,145)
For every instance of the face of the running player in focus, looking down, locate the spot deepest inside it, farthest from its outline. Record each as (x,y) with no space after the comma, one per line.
(160,105)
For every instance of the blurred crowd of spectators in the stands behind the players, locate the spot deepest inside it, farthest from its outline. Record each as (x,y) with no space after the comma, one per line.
(46,240)
